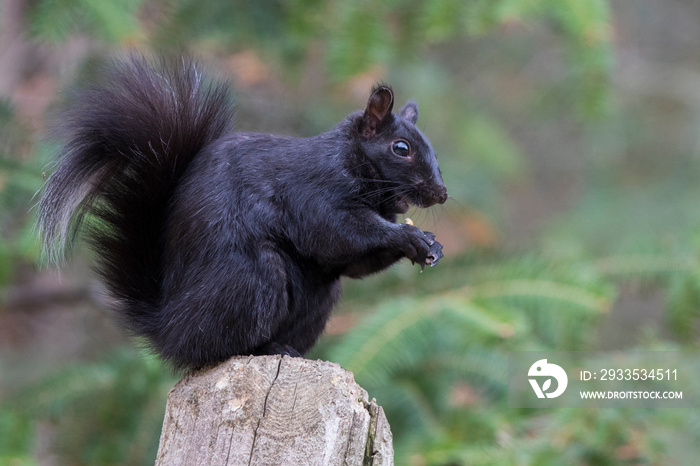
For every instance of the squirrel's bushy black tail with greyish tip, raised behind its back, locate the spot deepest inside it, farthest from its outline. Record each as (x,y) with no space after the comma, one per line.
(126,142)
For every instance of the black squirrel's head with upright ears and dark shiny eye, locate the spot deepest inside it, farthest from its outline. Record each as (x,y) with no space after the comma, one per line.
(401,156)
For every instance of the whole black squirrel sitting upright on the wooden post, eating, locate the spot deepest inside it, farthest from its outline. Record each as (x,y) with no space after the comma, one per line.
(217,243)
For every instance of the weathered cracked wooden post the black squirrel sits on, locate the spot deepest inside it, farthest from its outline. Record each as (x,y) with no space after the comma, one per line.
(270,410)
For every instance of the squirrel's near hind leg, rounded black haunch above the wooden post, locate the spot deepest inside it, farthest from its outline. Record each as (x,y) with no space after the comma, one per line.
(227,307)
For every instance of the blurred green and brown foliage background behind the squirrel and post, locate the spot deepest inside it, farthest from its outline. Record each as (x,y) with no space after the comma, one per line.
(568,132)
